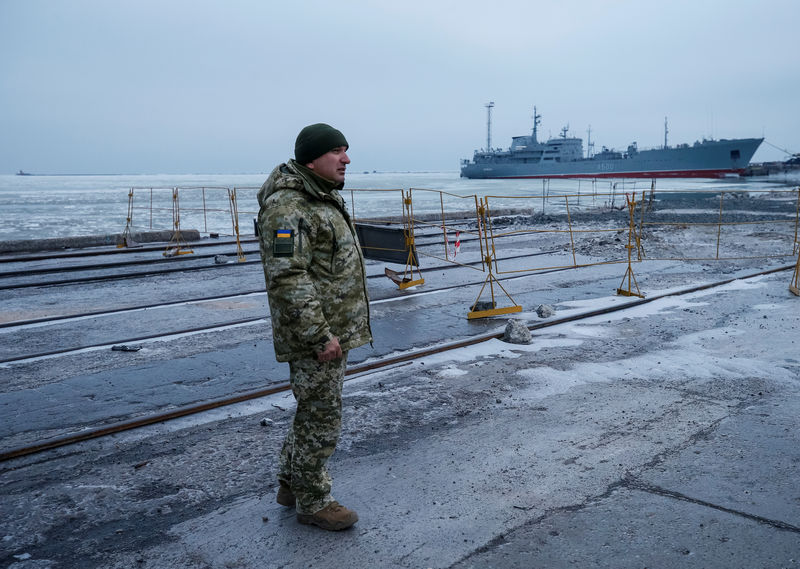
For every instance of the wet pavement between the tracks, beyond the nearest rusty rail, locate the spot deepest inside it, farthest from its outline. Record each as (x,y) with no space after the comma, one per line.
(62,394)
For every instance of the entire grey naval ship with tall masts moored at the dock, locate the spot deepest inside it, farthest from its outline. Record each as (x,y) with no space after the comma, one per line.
(563,157)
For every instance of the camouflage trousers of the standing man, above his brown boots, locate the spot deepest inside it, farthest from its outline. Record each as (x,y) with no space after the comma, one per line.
(312,437)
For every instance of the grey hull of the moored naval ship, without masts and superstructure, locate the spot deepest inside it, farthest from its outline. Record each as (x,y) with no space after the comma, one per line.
(709,159)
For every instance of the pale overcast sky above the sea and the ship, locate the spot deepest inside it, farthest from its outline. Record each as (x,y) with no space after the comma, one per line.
(193,86)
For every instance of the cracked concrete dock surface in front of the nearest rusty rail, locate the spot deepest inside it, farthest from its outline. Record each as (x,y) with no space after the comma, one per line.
(661,436)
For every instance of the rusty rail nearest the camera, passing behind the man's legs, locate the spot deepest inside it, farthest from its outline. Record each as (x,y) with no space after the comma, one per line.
(381,364)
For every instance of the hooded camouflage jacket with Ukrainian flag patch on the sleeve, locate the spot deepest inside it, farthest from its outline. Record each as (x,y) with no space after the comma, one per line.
(313,265)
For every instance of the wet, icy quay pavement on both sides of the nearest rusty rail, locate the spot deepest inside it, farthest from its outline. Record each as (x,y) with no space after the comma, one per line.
(661,436)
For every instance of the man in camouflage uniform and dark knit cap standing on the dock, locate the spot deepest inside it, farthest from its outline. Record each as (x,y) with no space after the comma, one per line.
(316,283)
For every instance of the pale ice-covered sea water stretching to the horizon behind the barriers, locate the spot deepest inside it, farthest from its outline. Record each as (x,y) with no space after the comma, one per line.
(35,207)
